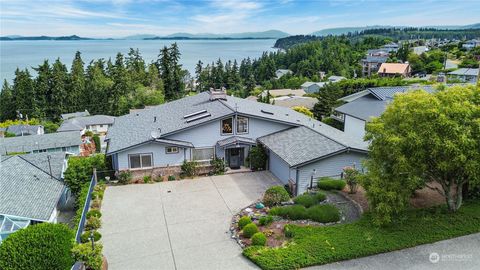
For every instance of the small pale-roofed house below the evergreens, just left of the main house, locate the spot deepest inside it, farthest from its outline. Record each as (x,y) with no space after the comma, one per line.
(98,124)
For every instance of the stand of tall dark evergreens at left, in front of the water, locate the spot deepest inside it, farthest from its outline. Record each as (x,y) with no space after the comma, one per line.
(109,87)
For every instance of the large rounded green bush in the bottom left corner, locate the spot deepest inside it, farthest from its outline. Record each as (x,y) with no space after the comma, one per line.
(40,246)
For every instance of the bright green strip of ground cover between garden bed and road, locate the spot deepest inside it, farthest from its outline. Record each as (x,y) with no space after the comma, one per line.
(321,245)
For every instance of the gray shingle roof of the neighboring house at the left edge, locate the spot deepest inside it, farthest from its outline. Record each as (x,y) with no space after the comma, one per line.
(28,191)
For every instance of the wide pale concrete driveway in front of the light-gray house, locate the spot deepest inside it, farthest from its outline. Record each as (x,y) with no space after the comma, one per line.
(180,224)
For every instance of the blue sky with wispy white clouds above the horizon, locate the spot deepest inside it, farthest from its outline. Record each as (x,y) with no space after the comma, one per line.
(118,18)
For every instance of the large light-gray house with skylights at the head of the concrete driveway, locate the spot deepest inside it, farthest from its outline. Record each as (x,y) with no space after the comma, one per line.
(213,125)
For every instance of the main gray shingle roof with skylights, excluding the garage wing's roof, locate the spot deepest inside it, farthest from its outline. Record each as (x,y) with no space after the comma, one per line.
(137,127)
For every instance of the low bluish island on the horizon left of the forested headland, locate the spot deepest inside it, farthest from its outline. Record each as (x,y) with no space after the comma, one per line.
(271,34)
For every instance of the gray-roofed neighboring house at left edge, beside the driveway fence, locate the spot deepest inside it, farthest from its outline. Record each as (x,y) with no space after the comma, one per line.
(32,190)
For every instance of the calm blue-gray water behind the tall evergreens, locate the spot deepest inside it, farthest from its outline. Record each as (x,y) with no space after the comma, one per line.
(27,54)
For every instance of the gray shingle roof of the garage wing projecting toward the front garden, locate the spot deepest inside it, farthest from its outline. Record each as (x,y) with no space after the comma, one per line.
(300,145)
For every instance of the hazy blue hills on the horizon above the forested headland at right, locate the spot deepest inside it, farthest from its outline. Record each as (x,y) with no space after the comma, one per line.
(345,30)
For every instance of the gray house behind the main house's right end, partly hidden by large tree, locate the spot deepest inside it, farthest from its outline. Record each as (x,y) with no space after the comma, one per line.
(362,106)
